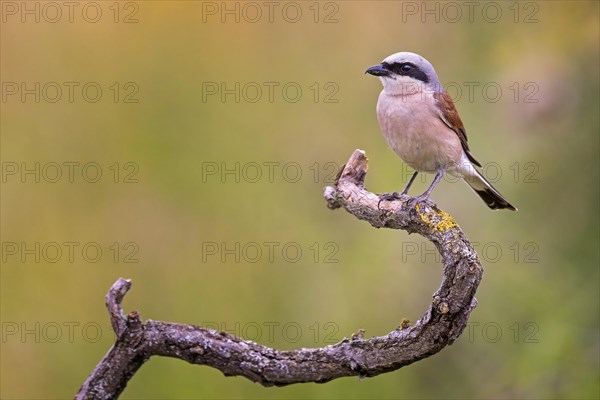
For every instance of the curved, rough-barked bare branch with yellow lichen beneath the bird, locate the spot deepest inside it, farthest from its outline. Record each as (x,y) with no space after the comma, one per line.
(441,324)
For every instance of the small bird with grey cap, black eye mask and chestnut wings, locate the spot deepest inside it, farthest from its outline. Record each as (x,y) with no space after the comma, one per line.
(421,124)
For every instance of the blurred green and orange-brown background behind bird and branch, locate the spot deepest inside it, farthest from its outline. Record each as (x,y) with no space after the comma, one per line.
(189,174)
